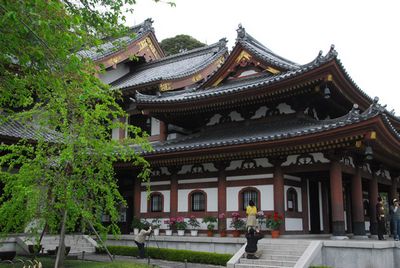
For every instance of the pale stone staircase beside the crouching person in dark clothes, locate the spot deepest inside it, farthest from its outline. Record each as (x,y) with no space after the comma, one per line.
(276,253)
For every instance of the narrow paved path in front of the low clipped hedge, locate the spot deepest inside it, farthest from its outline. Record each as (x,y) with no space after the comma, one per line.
(158,263)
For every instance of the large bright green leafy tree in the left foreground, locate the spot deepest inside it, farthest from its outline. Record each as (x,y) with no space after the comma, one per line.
(65,173)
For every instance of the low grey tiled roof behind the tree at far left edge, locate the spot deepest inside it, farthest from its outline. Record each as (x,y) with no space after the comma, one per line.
(12,129)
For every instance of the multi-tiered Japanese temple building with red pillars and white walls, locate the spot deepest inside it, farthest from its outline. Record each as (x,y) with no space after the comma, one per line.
(227,127)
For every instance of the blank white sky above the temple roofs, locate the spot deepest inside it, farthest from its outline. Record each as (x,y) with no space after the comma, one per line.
(365,33)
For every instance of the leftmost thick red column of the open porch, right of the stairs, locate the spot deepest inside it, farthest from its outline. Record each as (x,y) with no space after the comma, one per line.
(337,198)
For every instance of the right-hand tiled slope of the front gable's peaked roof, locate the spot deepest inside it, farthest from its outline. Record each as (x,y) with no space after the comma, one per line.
(264,53)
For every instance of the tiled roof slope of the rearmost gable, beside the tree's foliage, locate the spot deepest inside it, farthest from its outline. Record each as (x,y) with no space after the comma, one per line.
(112,46)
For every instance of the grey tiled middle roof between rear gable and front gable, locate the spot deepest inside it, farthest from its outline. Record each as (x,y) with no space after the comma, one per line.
(175,67)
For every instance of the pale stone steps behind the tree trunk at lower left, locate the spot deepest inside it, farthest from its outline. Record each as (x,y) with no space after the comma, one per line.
(77,242)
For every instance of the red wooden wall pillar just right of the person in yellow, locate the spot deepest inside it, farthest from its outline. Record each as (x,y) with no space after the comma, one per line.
(279,197)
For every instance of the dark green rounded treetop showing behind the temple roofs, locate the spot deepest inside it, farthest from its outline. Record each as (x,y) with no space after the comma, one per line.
(179,44)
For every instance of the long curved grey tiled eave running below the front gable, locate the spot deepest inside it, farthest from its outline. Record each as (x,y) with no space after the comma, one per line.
(236,86)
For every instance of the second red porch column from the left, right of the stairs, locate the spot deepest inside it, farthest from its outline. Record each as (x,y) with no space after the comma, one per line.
(357,204)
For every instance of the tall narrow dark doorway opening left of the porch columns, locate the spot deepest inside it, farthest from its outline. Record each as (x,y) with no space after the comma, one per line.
(315,222)
